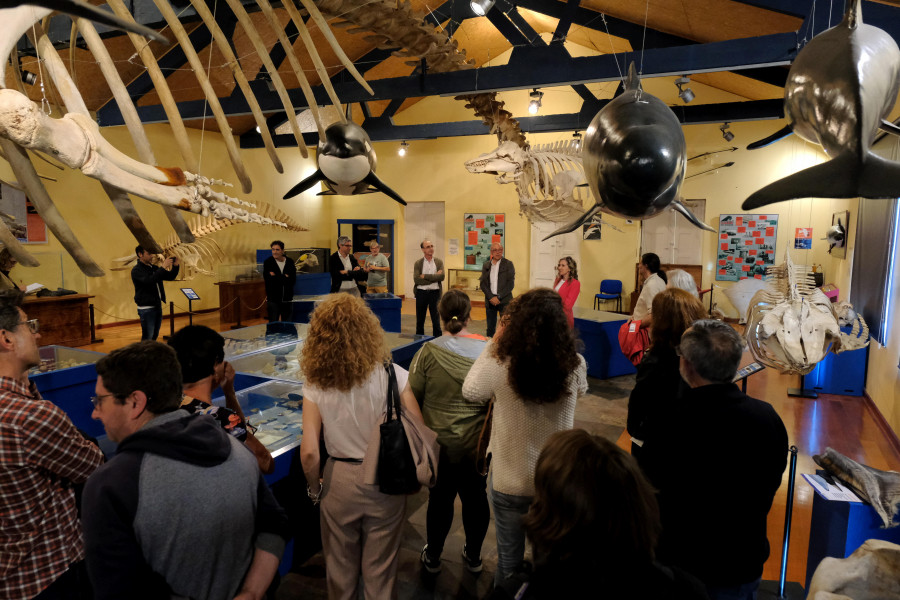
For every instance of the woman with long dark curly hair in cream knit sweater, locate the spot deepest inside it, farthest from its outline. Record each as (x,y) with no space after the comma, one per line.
(535,374)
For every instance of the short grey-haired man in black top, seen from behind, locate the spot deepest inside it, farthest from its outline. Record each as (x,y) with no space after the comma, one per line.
(717,464)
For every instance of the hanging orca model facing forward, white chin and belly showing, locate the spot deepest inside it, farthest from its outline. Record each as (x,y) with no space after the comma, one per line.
(346,164)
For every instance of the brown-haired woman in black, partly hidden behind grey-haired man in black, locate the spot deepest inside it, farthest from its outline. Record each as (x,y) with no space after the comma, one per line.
(658,382)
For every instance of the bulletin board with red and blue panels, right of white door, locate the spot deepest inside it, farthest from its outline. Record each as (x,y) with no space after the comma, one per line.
(746,246)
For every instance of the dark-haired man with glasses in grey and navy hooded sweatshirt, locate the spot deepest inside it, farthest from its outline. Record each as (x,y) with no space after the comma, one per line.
(182,509)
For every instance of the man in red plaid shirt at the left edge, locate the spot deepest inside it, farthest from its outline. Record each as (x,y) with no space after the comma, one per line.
(42,456)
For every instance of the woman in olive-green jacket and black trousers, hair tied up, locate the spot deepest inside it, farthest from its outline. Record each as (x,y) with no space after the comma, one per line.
(436,377)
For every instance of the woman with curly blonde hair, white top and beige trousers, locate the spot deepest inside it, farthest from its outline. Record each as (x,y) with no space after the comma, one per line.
(344,394)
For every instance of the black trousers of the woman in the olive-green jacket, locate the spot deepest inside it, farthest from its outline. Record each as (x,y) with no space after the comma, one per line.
(457,478)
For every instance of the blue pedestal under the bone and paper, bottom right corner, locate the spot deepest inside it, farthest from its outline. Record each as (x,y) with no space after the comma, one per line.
(839,528)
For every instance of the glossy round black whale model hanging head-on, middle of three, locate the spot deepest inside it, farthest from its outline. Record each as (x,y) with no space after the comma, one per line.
(634,158)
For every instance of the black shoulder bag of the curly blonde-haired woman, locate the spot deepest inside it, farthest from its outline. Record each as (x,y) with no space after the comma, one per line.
(396,469)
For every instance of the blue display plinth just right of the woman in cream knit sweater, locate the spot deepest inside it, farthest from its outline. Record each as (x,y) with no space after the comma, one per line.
(599,331)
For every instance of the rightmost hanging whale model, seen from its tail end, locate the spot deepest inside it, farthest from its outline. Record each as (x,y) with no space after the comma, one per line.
(839,91)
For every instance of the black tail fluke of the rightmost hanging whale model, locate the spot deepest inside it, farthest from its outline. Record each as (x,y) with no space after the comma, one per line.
(841,177)
